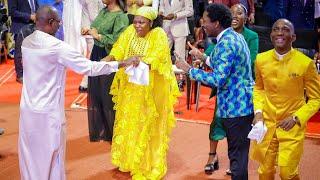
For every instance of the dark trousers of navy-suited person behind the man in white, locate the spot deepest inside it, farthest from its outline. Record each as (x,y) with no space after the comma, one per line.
(18,55)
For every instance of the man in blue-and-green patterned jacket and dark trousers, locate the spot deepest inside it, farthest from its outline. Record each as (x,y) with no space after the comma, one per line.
(232,75)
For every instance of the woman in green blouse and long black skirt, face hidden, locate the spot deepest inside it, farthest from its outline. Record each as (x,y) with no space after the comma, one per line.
(105,30)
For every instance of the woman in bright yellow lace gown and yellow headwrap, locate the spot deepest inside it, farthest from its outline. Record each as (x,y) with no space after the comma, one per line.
(144,113)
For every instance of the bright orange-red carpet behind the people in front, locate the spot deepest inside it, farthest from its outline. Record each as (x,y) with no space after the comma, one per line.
(10,92)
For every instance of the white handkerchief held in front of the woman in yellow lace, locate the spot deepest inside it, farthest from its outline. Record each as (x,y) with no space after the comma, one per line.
(138,75)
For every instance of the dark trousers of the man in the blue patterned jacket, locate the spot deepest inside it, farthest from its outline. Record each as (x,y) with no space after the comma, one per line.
(237,130)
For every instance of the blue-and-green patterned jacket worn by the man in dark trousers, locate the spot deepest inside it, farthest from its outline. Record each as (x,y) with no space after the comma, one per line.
(232,75)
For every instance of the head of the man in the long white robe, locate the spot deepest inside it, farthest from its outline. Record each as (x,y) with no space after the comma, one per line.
(47,19)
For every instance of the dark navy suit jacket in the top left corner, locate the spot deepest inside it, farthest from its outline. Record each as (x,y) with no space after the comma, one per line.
(20,12)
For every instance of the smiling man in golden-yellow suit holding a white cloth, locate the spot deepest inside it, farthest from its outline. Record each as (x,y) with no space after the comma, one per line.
(283,76)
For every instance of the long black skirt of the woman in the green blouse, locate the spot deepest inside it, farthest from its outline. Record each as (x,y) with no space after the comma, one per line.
(100,105)
